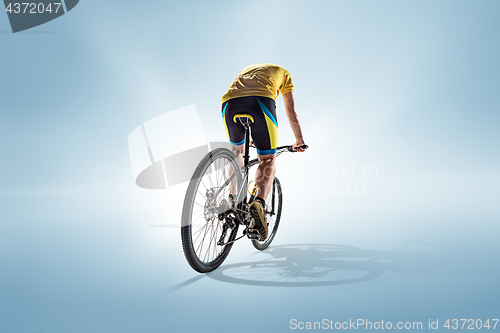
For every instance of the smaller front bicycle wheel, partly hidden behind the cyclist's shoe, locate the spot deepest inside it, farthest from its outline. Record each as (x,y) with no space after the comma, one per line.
(273,222)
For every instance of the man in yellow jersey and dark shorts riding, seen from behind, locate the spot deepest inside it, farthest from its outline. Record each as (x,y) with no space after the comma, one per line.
(254,93)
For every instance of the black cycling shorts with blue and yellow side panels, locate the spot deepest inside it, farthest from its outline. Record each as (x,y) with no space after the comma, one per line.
(264,127)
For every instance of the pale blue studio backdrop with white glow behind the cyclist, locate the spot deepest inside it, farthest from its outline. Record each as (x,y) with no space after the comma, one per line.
(409,87)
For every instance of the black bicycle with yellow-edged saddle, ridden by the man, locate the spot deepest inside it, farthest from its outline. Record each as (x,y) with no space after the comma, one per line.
(206,245)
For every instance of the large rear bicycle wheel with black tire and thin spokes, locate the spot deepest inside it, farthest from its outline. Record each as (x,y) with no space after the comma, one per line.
(207,221)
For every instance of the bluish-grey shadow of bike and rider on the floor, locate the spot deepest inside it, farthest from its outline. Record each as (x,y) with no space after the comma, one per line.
(307,265)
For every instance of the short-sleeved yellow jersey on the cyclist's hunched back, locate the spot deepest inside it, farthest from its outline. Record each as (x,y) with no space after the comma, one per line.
(265,80)
